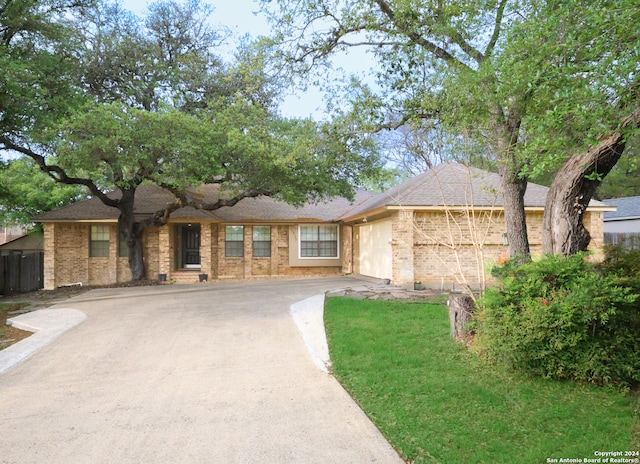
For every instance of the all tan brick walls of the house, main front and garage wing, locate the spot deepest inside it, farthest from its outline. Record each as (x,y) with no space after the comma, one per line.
(427,247)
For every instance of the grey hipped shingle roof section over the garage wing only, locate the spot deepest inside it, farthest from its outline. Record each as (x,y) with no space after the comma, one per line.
(452,185)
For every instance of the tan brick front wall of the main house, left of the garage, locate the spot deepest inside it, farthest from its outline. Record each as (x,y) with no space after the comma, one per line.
(67,258)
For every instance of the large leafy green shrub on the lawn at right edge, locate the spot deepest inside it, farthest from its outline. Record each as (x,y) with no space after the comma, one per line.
(563,318)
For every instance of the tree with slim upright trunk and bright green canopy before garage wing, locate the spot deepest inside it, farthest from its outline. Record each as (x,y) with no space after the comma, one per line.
(533,82)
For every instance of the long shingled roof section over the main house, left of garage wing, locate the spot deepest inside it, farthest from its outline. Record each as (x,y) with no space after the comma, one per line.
(150,198)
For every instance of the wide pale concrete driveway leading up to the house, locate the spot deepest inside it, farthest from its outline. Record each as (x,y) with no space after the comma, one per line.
(212,373)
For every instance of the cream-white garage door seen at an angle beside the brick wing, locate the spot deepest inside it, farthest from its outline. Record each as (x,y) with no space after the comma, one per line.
(375,249)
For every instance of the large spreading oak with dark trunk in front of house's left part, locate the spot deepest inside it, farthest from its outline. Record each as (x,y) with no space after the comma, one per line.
(138,100)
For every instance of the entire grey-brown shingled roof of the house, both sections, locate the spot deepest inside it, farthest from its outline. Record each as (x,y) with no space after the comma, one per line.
(449,184)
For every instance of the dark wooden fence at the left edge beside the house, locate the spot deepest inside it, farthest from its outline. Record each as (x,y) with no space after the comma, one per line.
(21,273)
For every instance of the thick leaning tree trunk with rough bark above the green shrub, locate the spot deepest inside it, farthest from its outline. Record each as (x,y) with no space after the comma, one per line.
(563,231)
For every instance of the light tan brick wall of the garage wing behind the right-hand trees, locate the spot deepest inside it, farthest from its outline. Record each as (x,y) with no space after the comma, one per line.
(454,248)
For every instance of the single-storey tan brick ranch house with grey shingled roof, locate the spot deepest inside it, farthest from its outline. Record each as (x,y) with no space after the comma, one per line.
(443,227)
